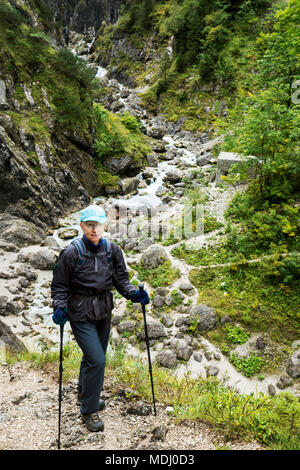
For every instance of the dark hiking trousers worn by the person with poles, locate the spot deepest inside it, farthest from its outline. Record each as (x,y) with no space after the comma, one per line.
(92,338)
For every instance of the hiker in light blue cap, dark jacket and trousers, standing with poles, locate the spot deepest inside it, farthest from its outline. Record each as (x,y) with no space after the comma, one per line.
(86,271)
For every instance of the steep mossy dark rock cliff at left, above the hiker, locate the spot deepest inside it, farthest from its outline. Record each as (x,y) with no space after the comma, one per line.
(45,171)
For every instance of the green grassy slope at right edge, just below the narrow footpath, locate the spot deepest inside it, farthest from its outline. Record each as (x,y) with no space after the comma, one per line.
(248,293)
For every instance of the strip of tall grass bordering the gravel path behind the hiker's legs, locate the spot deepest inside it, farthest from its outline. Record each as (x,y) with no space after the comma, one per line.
(273,421)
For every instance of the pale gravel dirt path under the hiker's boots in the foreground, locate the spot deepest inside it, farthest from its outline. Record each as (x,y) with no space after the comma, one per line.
(29,417)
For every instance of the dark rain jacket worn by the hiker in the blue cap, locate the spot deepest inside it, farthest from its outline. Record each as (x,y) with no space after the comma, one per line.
(86,289)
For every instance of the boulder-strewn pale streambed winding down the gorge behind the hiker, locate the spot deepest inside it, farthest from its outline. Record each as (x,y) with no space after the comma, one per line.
(180,159)
